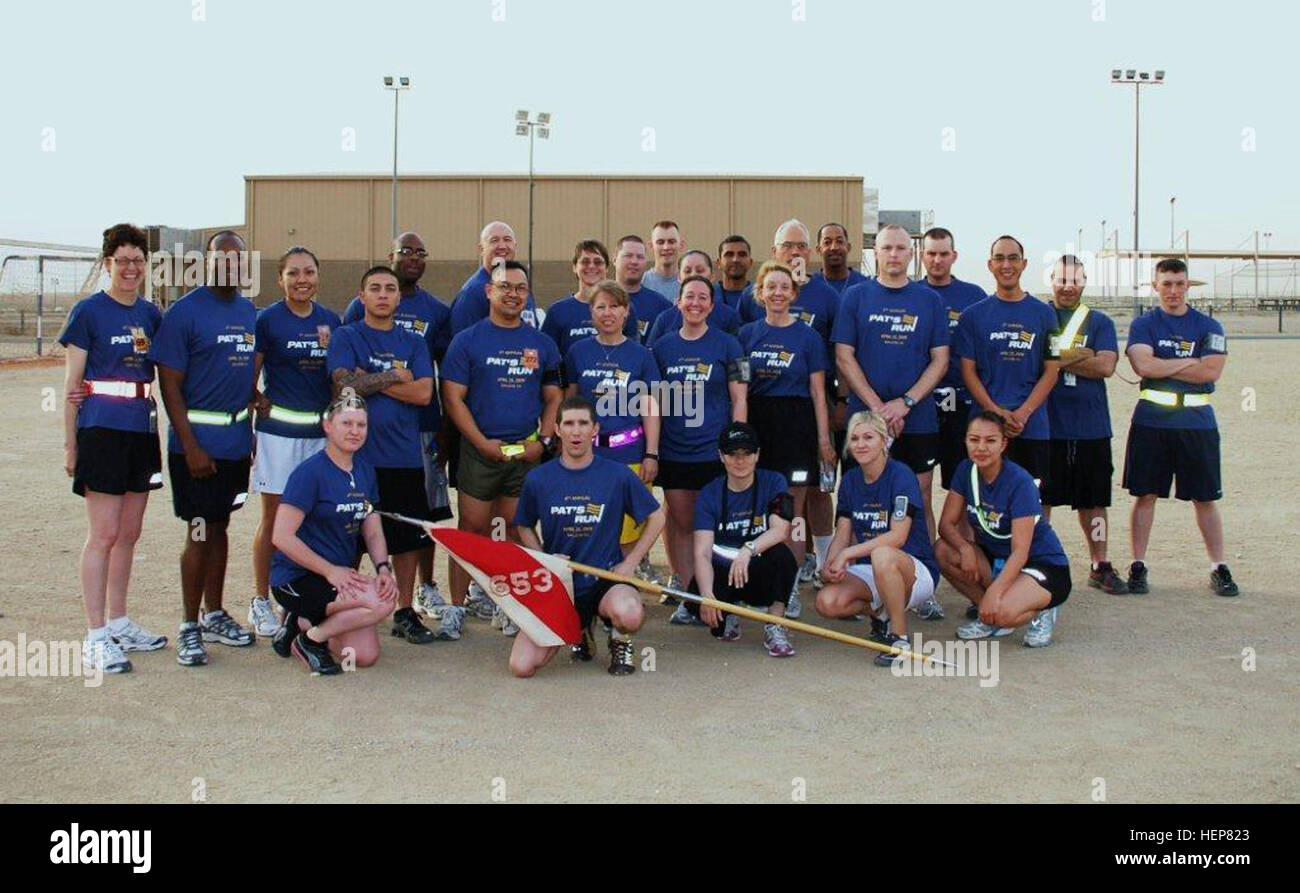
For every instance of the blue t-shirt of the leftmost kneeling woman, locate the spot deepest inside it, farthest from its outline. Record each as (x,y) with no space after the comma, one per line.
(335,505)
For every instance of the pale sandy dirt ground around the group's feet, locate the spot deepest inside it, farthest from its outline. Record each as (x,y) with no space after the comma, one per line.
(1147,693)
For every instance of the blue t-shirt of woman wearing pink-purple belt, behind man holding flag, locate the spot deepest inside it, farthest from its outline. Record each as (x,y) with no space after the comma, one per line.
(613,379)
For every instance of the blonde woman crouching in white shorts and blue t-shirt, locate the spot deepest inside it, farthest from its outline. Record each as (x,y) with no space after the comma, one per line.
(881,561)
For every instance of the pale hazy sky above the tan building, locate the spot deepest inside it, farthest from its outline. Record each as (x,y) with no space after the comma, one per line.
(154,111)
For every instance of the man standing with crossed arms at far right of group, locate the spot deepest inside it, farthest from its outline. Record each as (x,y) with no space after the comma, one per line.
(1180,353)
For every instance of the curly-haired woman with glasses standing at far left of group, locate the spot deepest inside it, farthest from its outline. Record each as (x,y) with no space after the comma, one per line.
(111,443)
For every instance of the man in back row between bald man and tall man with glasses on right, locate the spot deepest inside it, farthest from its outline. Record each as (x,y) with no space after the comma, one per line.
(952,400)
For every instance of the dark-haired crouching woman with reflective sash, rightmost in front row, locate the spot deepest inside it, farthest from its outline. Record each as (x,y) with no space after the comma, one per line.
(1015,571)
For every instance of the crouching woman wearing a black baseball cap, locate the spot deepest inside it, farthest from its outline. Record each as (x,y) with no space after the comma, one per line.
(743,523)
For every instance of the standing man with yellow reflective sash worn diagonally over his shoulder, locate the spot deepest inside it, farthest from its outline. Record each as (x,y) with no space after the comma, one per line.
(1080,418)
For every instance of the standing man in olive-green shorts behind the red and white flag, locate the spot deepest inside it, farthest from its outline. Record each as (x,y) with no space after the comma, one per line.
(501,389)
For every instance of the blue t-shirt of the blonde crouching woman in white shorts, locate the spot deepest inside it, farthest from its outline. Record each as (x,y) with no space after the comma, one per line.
(872,508)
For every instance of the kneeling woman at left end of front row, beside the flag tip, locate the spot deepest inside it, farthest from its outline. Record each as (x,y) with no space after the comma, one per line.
(331,609)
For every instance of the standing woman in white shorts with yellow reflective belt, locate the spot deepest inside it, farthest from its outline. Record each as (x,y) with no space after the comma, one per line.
(292,346)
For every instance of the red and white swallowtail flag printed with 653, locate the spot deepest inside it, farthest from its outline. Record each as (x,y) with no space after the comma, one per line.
(535,589)
